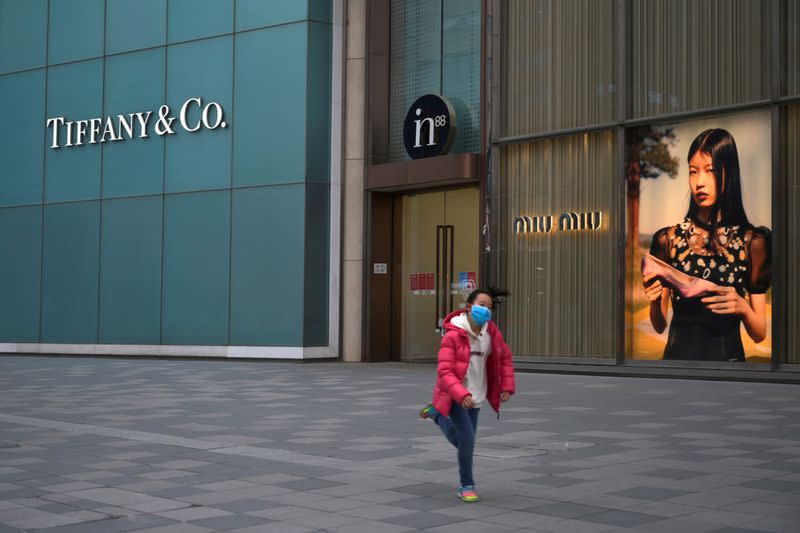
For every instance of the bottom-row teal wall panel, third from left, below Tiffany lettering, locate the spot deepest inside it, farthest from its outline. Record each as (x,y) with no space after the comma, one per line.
(130,271)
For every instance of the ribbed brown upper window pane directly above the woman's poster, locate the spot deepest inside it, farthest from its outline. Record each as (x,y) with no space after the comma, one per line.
(697,54)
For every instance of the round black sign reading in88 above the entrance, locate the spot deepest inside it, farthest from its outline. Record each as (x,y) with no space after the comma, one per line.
(429,127)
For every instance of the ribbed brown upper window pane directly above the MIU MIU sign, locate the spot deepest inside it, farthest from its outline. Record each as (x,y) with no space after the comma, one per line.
(559,64)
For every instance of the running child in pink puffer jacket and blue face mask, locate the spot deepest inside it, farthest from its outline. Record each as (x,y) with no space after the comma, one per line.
(474,366)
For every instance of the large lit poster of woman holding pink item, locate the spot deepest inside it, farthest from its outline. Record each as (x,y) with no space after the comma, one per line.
(699,241)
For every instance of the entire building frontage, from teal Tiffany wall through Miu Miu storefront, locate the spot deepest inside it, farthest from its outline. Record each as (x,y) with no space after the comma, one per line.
(330,178)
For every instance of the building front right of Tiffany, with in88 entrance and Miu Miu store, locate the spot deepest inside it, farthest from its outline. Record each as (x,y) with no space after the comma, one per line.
(572,157)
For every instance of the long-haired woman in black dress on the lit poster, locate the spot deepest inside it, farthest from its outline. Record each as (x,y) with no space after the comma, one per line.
(717,244)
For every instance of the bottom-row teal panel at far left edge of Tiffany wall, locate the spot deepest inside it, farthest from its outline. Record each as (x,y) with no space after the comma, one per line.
(20,273)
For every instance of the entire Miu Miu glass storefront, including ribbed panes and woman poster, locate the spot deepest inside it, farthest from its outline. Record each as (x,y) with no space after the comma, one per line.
(698,257)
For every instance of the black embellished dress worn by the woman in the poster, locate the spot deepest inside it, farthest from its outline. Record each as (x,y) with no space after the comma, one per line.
(739,258)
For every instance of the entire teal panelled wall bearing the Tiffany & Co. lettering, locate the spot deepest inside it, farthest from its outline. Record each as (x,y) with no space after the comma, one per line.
(213,237)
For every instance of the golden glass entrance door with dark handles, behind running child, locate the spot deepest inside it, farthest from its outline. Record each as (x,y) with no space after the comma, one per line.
(441,235)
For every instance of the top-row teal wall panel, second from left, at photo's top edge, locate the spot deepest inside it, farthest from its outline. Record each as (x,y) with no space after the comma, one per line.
(64,43)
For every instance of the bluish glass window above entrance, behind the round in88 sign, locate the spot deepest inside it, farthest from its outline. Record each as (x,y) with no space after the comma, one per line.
(435,48)
